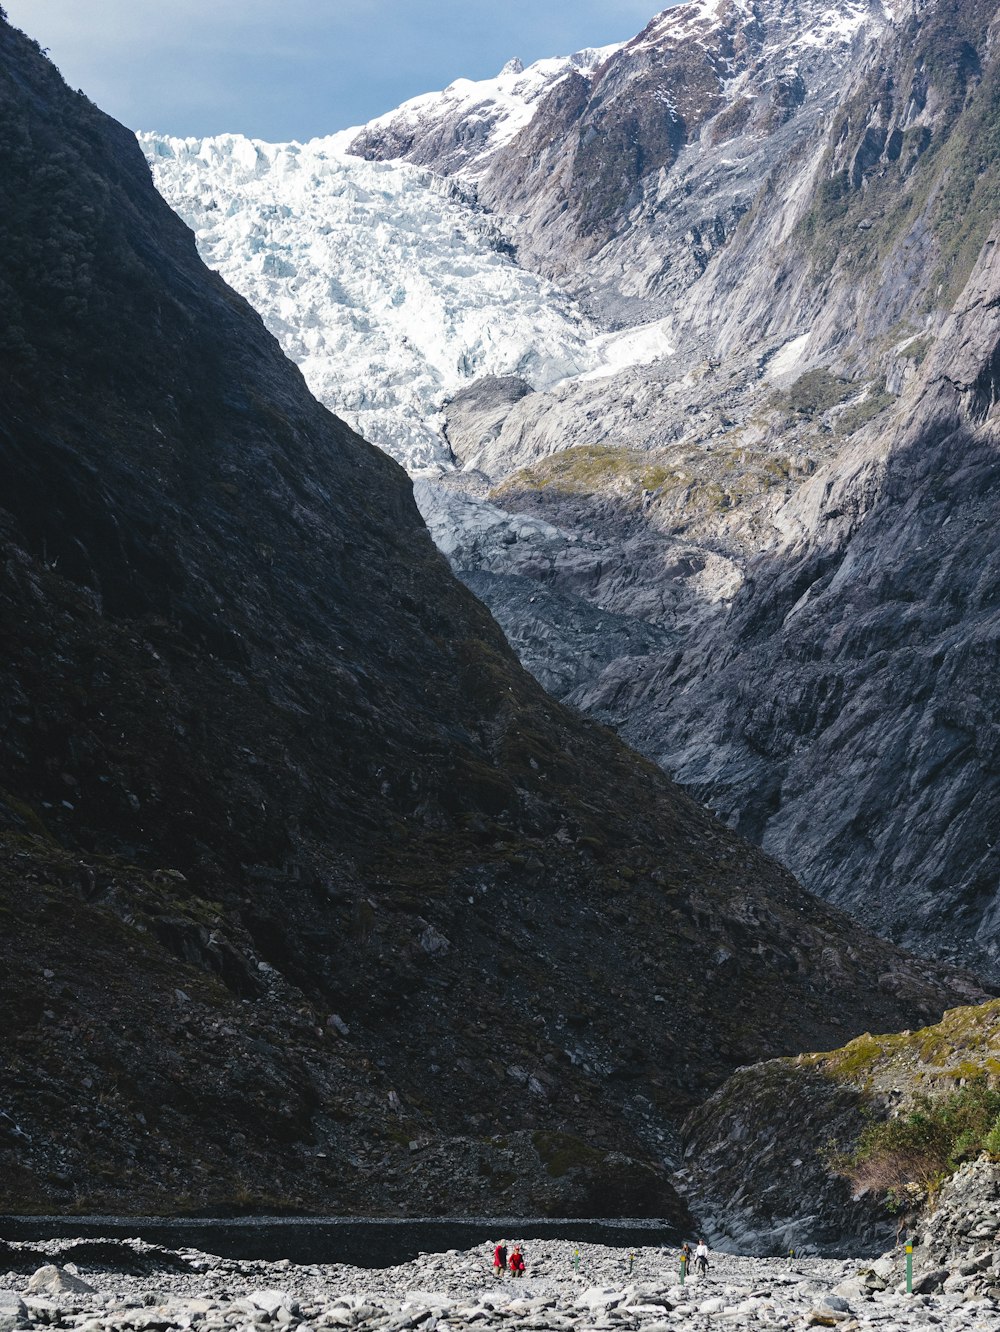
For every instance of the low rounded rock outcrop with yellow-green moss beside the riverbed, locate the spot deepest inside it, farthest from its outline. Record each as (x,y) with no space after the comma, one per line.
(770,1161)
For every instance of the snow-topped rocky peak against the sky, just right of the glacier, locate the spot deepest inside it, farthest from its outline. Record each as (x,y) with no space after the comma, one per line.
(634,170)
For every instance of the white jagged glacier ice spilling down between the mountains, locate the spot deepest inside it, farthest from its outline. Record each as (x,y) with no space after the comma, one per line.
(387,284)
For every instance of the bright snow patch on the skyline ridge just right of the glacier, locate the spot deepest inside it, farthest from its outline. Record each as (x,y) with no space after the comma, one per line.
(479,117)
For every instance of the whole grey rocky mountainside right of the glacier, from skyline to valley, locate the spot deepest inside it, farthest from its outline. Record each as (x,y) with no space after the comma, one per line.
(790,512)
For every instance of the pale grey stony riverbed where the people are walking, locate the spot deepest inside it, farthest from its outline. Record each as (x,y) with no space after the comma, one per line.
(136,1287)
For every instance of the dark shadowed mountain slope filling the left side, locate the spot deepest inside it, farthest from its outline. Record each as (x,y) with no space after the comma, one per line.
(312,898)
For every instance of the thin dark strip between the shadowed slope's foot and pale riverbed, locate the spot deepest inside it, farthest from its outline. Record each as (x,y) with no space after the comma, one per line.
(334,1239)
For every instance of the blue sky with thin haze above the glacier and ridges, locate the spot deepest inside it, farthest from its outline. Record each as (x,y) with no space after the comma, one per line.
(298,69)
